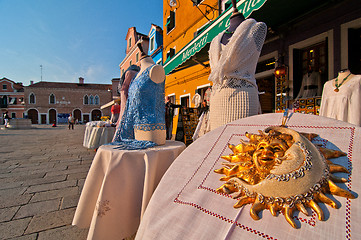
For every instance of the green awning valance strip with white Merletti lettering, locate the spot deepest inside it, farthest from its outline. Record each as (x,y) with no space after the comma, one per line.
(217,26)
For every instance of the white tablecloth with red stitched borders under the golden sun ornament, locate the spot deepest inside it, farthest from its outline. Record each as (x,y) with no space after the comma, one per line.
(186,205)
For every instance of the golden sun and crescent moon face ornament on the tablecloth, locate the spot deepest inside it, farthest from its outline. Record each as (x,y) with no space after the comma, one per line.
(281,170)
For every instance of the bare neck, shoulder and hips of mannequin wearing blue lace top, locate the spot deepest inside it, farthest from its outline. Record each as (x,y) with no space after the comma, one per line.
(157,75)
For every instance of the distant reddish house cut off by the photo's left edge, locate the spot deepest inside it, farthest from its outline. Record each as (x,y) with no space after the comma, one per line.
(11,98)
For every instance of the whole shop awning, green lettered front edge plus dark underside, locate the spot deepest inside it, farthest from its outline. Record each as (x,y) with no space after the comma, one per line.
(275,13)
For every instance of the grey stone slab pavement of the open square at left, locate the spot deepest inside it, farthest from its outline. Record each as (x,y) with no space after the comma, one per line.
(42,172)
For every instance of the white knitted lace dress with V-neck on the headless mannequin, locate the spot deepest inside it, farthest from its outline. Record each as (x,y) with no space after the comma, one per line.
(233,66)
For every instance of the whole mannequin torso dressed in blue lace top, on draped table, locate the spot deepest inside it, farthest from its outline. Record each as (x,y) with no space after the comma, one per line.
(143,122)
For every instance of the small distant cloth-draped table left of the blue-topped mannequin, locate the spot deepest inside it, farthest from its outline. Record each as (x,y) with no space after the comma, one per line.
(95,136)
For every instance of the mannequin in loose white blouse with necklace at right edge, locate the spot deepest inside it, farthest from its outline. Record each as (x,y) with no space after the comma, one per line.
(341,98)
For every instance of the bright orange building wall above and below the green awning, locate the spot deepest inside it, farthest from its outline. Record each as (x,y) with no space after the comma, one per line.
(188,19)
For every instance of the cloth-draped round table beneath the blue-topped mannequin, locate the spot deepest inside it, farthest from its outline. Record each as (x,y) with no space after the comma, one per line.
(118,188)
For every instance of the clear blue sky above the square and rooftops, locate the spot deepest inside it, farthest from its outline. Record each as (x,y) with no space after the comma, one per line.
(69,38)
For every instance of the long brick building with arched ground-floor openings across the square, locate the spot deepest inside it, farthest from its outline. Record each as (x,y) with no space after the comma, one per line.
(49,102)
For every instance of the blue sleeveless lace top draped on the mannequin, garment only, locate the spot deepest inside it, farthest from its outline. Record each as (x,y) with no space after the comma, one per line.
(145,110)
